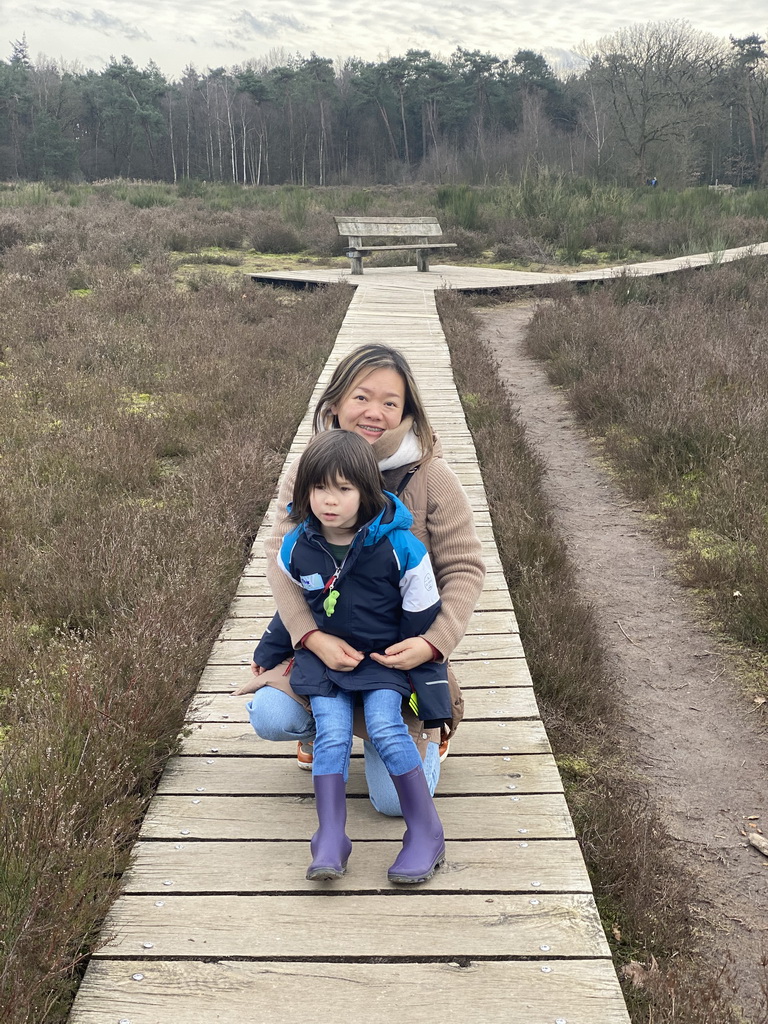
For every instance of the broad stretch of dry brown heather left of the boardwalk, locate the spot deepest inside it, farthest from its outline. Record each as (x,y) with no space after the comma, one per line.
(143,430)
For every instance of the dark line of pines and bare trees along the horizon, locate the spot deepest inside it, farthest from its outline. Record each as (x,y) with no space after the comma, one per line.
(659,100)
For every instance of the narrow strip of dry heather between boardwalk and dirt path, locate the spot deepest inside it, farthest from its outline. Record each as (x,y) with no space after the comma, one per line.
(629,856)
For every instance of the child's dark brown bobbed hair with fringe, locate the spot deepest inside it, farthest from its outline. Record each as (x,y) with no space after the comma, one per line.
(338,455)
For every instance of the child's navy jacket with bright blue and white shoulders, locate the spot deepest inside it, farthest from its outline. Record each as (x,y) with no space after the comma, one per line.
(385,590)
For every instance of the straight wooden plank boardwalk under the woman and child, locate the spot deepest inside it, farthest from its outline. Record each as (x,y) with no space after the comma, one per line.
(218,922)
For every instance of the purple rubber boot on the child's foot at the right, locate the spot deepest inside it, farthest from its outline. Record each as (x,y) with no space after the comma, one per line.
(424,843)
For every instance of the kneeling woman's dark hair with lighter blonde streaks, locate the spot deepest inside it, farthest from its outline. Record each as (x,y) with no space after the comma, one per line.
(359,364)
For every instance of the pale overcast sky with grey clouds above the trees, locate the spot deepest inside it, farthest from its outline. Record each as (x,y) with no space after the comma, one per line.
(177,33)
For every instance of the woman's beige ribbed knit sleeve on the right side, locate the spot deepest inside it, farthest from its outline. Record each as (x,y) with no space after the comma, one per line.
(457,557)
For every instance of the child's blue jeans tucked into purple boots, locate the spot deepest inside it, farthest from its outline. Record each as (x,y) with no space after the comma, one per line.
(333,744)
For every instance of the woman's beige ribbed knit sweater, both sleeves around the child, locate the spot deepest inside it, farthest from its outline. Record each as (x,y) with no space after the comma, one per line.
(443,521)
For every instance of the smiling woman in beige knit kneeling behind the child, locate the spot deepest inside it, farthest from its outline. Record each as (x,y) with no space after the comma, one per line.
(373,394)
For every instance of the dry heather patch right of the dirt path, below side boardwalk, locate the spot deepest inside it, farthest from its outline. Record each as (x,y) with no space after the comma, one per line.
(673,375)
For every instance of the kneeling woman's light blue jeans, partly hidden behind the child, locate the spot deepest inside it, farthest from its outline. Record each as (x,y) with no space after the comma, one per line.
(277,716)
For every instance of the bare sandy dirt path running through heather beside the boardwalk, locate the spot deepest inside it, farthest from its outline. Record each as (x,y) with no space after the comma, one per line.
(703,753)
